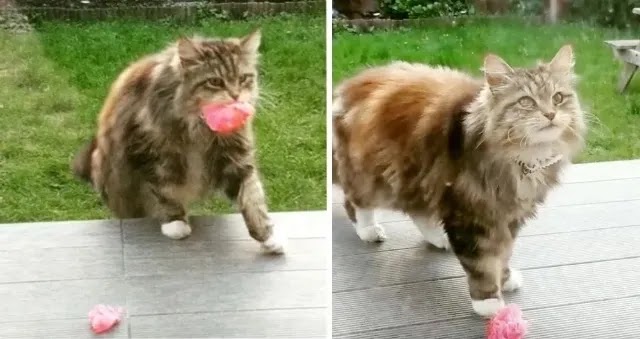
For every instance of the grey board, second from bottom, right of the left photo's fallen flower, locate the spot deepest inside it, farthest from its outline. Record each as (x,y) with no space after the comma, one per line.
(202,292)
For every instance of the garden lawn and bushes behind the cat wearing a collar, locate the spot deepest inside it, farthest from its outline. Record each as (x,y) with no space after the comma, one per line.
(459,35)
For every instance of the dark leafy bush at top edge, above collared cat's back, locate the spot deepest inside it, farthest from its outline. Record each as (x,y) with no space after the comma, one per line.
(403,9)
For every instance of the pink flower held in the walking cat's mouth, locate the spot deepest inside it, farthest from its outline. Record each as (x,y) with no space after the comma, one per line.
(226,118)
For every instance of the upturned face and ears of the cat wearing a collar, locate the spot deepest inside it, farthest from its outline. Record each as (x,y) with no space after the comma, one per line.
(533,106)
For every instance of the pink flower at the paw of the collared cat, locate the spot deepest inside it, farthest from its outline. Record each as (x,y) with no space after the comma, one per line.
(507,324)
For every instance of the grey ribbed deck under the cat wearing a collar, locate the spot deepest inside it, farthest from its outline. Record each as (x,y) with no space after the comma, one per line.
(580,260)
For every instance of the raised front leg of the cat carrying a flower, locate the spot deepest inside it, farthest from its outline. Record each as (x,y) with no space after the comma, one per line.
(252,204)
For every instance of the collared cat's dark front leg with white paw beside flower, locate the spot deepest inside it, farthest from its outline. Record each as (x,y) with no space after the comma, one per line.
(480,250)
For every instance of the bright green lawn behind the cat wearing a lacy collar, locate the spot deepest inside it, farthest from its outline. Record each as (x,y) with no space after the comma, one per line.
(614,118)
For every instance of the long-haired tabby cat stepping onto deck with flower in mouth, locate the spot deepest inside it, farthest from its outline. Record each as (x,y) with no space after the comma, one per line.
(153,154)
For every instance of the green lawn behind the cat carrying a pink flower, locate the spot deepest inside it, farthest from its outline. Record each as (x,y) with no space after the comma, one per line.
(53,83)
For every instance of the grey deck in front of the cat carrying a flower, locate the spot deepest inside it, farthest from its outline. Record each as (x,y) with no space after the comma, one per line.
(215,283)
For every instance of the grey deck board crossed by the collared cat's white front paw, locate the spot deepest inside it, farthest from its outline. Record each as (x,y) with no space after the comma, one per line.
(441,300)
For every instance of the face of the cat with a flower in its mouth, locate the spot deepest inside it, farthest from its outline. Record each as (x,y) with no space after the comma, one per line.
(220,71)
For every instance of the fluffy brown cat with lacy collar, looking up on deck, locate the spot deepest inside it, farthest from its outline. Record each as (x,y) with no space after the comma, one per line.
(468,159)
